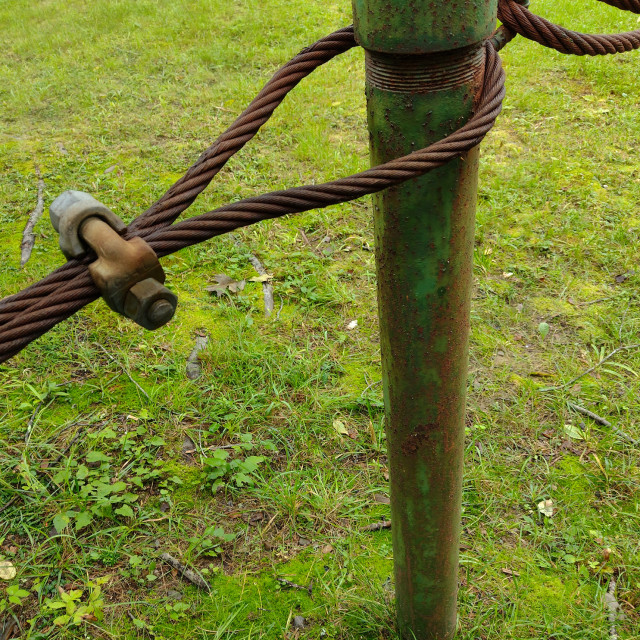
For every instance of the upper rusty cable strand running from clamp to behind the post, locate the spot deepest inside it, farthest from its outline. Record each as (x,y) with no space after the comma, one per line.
(182,194)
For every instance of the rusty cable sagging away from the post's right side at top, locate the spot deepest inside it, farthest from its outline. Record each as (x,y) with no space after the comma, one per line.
(519,19)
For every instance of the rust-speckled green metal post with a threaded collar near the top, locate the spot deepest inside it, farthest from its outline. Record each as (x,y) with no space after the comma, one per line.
(424,63)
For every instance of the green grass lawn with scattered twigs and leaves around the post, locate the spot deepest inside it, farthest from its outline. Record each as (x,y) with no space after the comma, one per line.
(266,468)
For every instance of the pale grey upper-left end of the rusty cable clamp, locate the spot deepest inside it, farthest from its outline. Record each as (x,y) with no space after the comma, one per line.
(69,210)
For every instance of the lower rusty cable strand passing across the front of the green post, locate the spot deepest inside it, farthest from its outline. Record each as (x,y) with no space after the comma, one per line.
(72,296)
